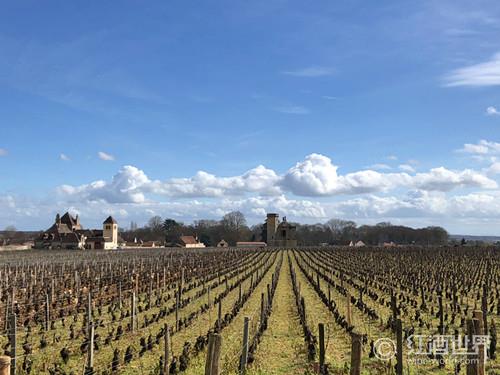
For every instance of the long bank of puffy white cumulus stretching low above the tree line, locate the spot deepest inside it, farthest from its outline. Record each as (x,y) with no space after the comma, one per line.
(316,175)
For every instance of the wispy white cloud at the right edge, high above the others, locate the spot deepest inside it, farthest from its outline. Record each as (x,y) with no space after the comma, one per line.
(482,74)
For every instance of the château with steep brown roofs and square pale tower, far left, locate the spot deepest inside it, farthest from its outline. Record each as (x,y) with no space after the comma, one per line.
(68,233)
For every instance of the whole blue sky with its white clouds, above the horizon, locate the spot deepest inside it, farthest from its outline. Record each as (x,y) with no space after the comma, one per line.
(371,111)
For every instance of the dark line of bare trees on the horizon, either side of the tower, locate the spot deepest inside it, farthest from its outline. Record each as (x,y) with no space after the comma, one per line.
(233,227)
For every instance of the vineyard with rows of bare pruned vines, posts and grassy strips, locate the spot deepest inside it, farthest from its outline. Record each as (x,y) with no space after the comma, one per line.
(229,311)
